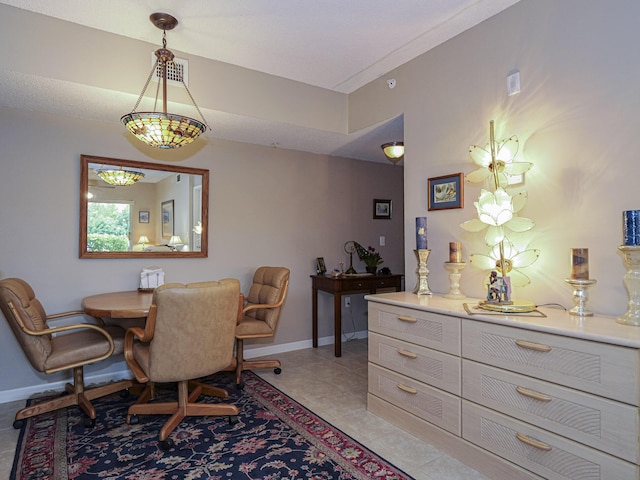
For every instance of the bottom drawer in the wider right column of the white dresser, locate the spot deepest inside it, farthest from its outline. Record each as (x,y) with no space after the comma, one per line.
(544,453)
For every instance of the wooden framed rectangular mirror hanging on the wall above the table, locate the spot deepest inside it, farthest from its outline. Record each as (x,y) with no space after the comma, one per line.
(164,213)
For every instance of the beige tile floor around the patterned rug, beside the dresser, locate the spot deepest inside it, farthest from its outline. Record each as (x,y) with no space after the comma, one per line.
(333,388)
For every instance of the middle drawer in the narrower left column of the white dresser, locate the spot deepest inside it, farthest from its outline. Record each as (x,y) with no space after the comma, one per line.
(434,368)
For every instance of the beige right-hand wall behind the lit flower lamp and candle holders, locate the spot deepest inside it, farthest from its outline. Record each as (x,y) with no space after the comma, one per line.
(577,119)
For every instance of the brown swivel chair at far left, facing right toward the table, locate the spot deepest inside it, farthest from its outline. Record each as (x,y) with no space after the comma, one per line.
(54,349)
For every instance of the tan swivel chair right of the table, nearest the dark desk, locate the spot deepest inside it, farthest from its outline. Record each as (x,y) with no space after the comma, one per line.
(260,316)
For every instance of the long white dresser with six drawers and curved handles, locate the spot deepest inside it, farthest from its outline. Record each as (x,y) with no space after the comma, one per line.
(513,396)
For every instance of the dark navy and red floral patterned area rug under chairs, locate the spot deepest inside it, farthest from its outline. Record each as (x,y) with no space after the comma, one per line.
(275,438)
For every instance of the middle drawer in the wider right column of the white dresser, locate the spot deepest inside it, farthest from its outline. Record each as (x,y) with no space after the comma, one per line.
(597,422)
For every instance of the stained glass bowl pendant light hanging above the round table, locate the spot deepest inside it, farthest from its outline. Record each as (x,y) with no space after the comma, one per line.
(162,129)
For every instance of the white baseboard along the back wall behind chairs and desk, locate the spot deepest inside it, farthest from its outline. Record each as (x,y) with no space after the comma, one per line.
(23,393)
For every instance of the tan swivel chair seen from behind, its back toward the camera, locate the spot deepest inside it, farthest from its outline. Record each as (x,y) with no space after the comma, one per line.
(189,334)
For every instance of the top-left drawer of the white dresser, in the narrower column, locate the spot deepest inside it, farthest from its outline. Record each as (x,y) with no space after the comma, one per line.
(428,329)
